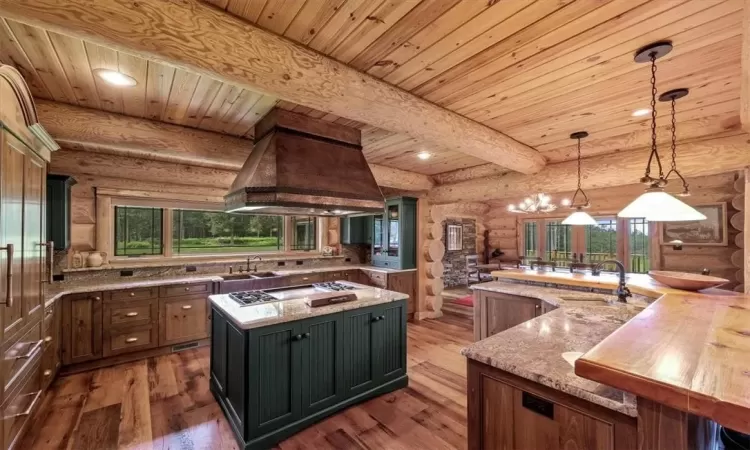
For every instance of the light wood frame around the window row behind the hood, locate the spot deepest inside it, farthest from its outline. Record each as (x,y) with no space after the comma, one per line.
(105,229)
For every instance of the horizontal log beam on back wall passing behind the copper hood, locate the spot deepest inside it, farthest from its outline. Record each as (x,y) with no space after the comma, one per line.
(116,134)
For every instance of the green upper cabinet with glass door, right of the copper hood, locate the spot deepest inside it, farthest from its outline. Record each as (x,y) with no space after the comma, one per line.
(395,235)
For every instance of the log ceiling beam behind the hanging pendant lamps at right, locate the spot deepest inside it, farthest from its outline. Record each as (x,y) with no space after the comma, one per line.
(707,157)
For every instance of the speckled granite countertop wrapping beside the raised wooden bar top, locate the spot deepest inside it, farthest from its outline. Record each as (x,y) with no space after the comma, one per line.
(533,350)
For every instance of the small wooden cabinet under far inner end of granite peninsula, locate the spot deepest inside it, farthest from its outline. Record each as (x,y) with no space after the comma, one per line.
(496,312)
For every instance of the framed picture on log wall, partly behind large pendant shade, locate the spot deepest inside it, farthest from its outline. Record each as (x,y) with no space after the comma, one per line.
(712,231)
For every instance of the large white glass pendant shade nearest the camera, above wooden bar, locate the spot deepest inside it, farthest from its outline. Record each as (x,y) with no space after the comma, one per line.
(657,206)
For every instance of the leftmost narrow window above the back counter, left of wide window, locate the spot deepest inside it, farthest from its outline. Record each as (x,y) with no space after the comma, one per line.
(138,231)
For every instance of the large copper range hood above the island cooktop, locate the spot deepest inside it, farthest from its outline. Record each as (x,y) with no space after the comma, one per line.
(304,166)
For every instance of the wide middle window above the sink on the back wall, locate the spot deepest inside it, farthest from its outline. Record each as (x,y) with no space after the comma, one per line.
(219,232)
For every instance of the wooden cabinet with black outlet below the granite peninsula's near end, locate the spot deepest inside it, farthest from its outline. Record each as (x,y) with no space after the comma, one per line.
(508,412)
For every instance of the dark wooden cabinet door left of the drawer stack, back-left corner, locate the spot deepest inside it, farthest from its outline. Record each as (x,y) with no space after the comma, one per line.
(82,325)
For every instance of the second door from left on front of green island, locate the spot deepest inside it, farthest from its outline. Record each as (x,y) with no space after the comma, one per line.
(322,377)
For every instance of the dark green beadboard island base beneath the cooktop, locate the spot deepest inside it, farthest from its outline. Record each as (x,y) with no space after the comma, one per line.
(274,381)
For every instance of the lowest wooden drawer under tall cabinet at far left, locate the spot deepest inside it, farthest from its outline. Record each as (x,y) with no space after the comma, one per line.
(22,403)
